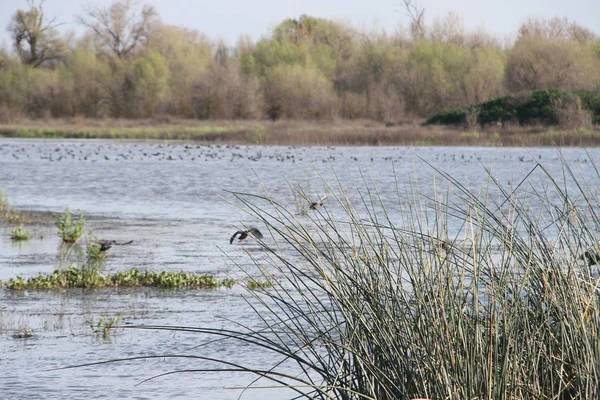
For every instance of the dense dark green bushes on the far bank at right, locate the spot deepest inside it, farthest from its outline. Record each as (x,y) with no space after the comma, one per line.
(524,107)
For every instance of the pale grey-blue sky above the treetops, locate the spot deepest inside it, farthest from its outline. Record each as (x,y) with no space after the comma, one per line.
(228,19)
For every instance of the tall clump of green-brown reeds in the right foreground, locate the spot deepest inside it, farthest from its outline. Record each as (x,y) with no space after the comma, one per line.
(460,295)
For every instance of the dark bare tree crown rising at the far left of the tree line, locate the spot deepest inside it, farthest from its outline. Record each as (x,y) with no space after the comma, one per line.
(36,41)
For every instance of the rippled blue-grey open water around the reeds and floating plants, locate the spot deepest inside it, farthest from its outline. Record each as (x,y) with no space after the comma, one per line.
(172,200)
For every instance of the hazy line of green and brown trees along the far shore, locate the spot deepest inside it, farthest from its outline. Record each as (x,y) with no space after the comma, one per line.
(129,64)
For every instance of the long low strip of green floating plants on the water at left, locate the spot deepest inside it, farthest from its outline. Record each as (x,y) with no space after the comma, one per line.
(92,278)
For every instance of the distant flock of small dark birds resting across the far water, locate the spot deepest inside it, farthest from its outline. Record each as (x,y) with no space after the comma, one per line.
(114,152)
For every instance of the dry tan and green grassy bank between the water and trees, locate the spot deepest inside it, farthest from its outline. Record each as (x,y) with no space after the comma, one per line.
(305,133)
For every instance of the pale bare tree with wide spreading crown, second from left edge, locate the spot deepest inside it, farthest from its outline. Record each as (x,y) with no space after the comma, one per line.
(120,28)
